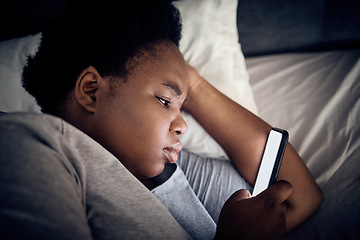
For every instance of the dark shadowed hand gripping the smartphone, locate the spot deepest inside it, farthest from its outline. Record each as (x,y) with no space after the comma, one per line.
(263,216)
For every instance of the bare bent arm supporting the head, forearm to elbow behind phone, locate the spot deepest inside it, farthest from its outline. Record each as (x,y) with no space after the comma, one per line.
(243,136)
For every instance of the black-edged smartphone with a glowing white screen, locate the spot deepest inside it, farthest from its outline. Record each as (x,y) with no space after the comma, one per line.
(271,160)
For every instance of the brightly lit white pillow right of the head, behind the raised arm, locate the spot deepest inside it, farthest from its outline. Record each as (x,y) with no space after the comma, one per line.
(210,44)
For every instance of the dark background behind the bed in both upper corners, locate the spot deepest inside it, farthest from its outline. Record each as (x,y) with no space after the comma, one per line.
(265,26)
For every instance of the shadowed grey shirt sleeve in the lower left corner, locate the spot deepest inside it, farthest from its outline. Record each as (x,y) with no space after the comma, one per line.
(41,195)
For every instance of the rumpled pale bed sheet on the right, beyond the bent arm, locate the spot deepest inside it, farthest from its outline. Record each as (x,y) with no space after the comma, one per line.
(316,97)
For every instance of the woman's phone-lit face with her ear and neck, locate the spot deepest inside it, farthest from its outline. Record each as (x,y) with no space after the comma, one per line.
(140,124)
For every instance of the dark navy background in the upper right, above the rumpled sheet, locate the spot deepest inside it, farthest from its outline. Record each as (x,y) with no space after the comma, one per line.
(275,26)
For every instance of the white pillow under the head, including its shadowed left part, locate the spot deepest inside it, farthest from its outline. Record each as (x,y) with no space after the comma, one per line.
(209,43)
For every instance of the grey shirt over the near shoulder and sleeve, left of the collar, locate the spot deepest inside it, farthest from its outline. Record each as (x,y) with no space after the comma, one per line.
(58,183)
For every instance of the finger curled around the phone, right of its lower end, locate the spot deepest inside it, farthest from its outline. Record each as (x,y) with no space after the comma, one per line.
(278,192)
